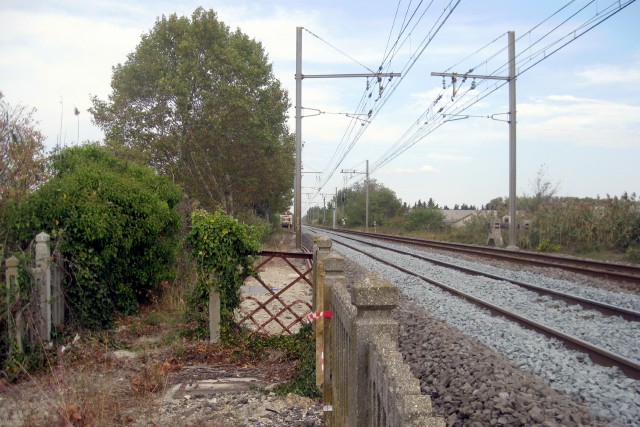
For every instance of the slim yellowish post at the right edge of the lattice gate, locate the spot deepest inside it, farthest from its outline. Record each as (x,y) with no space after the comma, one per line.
(321,249)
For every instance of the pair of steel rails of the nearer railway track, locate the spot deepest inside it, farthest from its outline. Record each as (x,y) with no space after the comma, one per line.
(597,353)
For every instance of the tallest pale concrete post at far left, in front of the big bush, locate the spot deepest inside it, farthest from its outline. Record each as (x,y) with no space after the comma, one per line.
(43,284)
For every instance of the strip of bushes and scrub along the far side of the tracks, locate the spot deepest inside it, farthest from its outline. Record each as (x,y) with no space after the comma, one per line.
(600,227)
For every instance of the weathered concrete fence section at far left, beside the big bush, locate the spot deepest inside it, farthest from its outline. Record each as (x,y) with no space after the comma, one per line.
(45,307)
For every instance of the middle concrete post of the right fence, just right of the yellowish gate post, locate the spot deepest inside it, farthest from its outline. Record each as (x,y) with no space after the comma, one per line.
(333,269)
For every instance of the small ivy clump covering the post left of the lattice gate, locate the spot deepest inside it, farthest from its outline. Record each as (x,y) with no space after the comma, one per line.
(224,249)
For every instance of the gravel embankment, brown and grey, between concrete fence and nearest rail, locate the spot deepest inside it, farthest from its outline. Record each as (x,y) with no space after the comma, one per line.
(483,370)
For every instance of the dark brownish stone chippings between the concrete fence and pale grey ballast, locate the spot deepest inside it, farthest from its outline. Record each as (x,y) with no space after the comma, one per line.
(471,384)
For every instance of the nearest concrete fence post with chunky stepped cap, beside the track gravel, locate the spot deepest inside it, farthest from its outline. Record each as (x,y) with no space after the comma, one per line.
(375,298)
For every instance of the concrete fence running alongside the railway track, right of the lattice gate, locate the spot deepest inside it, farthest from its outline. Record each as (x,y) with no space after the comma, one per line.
(364,379)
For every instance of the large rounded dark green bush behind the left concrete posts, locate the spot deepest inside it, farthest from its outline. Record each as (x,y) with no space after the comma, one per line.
(115,224)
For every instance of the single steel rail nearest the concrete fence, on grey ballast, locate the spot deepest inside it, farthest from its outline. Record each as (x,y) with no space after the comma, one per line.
(597,354)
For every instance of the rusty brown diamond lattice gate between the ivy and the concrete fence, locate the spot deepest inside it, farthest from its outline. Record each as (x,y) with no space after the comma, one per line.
(278,298)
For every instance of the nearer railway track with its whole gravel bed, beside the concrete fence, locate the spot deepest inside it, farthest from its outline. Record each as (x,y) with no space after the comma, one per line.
(457,348)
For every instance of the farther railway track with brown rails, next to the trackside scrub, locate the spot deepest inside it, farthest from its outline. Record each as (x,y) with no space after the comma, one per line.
(602,269)
